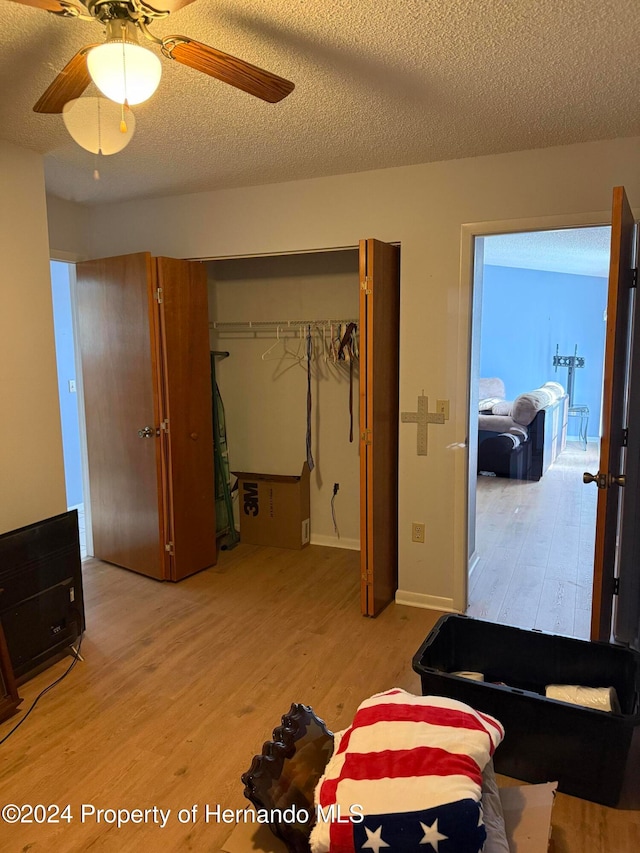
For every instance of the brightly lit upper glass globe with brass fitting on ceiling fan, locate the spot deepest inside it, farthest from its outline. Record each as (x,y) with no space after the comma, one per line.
(124,71)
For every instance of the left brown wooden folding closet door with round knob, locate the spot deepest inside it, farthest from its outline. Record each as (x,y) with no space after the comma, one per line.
(143,342)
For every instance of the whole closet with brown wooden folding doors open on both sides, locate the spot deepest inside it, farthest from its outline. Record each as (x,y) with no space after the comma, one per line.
(145,337)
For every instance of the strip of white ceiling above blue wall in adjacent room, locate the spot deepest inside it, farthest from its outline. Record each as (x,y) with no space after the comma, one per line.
(578,251)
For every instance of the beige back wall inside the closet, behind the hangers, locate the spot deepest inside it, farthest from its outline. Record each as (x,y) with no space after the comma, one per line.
(265,400)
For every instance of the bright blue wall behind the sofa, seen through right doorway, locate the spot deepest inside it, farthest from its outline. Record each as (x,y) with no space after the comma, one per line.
(525,314)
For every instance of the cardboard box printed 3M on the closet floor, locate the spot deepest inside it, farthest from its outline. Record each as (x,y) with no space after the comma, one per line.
(274,509)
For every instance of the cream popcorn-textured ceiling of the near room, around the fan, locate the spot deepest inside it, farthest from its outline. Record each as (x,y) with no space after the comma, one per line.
(379,83)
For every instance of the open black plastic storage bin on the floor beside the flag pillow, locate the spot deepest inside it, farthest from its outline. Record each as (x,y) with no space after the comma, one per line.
(583,749)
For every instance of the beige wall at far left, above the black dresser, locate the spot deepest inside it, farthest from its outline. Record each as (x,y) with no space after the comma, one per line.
(31,466)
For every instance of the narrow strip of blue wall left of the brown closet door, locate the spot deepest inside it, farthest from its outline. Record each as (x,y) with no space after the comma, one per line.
(63,326)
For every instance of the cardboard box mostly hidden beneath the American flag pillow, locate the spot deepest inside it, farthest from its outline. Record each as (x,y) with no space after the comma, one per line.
(527,817)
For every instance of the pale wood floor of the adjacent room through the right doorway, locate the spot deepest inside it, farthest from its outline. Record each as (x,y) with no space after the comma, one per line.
(535,546)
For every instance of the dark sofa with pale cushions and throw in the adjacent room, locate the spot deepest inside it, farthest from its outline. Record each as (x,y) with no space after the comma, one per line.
(520,438)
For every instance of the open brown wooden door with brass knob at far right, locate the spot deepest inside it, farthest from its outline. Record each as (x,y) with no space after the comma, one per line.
(611,475)
